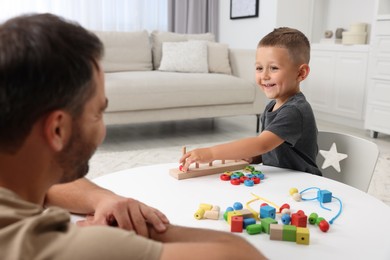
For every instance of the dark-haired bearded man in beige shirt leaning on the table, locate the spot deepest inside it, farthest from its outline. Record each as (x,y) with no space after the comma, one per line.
(52,101)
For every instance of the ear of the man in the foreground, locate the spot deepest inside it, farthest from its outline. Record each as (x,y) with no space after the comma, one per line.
(57,129)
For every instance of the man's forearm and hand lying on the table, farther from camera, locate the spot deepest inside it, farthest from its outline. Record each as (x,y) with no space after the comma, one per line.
(105,207)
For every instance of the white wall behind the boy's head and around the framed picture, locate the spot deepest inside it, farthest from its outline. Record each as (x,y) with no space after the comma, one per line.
(312,17)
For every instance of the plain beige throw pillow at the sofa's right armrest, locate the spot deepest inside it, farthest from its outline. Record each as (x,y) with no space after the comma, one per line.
(218,58)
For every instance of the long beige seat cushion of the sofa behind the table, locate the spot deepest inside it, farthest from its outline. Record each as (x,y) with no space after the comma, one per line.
(157,90)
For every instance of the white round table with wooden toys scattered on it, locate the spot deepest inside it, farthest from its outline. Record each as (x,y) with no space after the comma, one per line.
(360,232)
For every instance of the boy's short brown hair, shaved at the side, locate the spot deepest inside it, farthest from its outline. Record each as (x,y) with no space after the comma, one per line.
(296,43)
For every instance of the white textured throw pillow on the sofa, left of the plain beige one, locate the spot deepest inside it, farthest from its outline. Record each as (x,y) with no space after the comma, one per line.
(189,56)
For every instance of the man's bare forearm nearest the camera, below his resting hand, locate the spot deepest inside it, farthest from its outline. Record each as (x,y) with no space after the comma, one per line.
(192,243)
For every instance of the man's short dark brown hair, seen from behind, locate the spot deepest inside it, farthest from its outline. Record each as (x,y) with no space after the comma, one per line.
(46,63)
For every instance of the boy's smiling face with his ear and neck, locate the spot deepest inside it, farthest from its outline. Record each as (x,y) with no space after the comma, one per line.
(277,74)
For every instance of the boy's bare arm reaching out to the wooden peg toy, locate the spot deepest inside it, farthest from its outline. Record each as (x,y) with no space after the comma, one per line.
(236,150)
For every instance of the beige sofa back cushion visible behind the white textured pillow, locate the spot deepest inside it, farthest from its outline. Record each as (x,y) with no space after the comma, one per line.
(158,37)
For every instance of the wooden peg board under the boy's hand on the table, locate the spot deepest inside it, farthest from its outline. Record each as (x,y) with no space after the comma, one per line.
(207,169)
